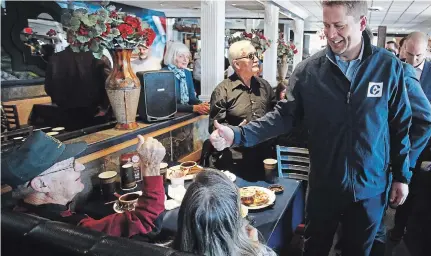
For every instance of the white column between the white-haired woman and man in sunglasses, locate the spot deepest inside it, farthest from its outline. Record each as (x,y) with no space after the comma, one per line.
(212,41)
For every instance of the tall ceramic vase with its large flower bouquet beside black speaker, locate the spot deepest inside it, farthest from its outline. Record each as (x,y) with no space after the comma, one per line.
(119,32)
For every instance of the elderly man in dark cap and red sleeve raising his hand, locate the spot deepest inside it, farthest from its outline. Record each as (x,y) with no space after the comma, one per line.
(46,177)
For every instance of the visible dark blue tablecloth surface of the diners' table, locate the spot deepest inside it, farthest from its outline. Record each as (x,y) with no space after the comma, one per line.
(265,220)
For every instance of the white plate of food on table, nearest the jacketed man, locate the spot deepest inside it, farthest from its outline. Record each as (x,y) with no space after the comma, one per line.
(255,198)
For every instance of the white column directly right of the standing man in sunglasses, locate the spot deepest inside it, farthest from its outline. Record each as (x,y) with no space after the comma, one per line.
(271,32)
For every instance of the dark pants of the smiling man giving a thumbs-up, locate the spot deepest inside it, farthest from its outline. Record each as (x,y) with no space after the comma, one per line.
(360,221)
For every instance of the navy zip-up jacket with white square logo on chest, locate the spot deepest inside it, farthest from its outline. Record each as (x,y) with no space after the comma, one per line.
(355,128)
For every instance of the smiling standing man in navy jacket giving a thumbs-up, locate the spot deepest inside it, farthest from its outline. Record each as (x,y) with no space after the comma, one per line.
(353,100)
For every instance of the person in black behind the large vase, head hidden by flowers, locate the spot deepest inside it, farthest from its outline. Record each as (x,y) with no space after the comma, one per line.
(75,81)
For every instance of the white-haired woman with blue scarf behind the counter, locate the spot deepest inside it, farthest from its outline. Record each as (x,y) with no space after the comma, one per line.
(176,60)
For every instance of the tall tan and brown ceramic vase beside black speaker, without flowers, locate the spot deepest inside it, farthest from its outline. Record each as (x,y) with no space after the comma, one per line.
(123,89)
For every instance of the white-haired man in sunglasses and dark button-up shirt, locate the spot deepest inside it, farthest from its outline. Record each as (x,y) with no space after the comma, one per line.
(241,98)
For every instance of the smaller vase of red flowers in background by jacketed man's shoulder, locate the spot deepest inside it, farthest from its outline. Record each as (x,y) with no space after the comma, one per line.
(285,52)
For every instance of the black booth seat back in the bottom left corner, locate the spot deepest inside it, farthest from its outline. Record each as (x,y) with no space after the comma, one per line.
(23,234)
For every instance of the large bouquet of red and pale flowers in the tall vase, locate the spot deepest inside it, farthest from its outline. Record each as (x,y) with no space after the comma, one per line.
(106,28)
